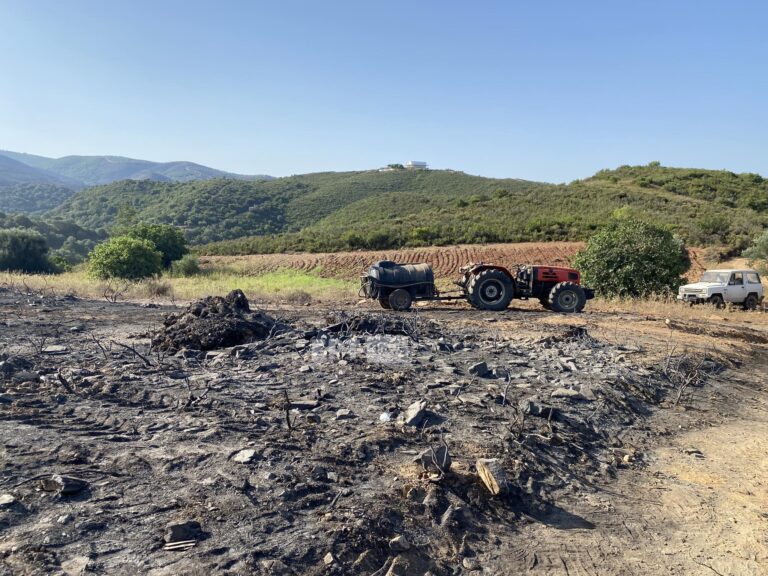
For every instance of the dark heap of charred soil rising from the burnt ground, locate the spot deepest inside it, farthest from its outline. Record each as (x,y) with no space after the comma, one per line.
(212,323)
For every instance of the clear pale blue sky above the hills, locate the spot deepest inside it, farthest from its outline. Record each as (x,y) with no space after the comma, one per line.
(543,90)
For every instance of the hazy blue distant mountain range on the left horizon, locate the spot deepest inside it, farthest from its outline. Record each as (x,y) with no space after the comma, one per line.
(33,184)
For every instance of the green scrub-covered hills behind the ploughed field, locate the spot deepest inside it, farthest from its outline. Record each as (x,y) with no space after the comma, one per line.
(350,210)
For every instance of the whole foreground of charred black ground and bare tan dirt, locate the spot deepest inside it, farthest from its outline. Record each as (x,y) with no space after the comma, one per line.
(320,447)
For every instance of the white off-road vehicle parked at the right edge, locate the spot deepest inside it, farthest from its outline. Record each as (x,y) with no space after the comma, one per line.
(720,286)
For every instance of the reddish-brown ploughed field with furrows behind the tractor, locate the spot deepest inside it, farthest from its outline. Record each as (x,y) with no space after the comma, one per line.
(446,260)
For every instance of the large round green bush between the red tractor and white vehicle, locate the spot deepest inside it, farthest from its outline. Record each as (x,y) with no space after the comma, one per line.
(633,258)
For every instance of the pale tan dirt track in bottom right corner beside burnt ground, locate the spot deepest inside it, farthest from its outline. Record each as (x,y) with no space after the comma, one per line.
(699,508)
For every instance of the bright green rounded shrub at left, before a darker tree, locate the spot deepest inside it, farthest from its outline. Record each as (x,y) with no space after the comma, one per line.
(125,257)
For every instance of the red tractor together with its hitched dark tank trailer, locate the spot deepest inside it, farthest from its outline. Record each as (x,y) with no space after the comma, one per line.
(484,286)
